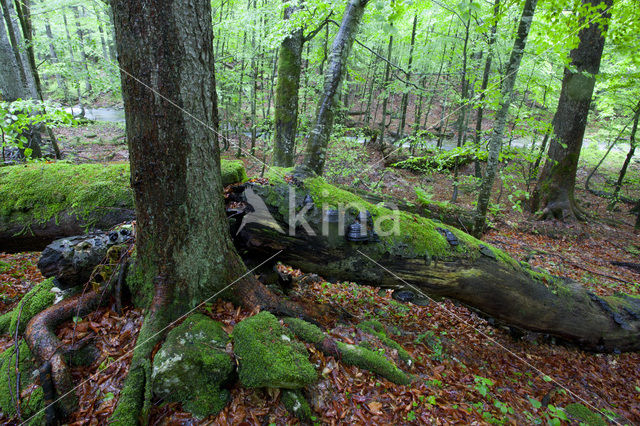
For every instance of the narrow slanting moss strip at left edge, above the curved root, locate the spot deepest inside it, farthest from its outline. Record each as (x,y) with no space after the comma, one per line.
(35,300)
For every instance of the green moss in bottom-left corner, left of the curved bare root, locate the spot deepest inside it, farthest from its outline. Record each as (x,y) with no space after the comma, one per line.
(29,406)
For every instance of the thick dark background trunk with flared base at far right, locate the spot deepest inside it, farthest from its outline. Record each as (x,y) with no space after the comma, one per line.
(554,192)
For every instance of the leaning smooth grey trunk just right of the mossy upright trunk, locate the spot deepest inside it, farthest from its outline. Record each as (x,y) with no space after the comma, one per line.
(316,153)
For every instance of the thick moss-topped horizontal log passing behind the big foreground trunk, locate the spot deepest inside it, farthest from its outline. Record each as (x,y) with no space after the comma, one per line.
(42,202)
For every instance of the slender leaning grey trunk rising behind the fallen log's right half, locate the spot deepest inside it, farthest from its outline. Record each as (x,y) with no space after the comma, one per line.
(508,83)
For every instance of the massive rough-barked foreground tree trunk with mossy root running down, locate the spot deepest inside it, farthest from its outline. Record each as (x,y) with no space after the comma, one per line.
(184,251)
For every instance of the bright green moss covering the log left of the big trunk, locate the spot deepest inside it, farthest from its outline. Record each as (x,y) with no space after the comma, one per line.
(36,193)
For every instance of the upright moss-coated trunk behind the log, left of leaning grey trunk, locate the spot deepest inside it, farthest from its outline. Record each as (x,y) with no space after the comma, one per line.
(286,111)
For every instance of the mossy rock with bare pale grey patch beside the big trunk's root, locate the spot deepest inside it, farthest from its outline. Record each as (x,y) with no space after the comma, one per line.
(191,366)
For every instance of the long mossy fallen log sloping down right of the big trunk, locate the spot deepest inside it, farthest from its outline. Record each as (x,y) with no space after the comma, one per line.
(410,251)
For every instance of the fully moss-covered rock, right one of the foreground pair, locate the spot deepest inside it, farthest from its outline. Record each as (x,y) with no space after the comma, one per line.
(269,356)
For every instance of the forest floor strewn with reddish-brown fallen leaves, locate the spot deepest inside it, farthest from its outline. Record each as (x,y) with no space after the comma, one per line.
(469,370)
